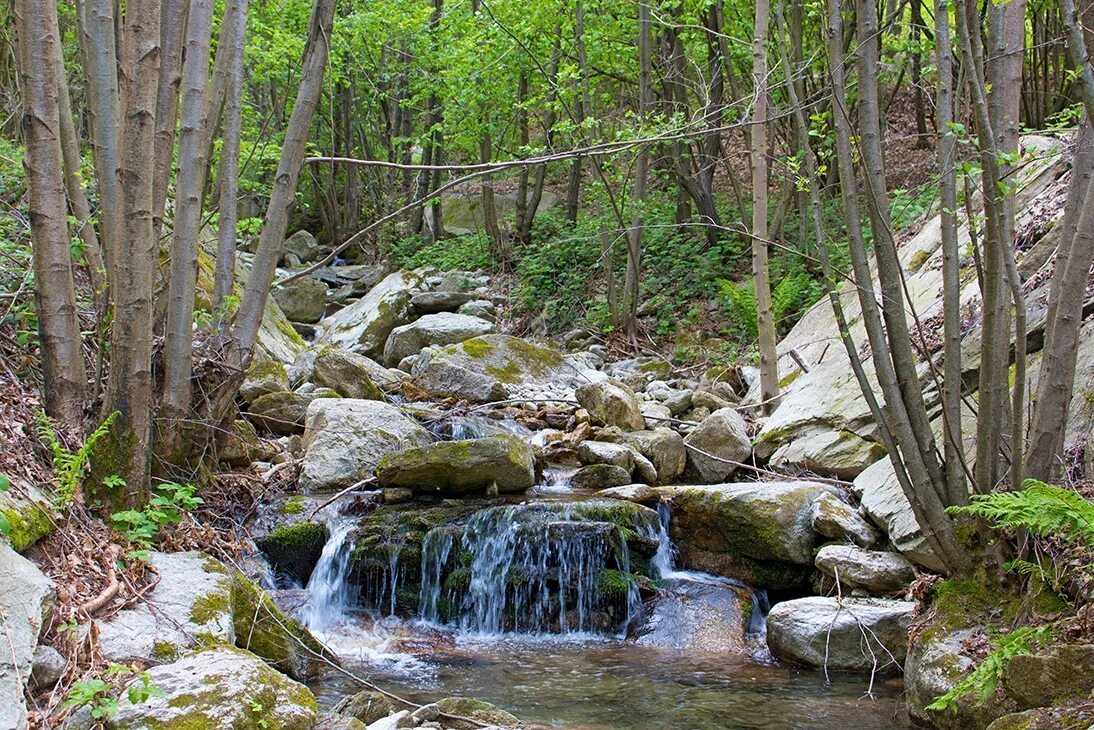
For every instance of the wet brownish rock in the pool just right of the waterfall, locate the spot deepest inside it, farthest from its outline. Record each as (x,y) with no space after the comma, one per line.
(697,619)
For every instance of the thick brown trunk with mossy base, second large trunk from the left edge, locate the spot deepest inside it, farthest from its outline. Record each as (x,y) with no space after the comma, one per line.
(130,387)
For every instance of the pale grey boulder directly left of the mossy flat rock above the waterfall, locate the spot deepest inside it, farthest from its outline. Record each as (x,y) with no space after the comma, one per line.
(346,438)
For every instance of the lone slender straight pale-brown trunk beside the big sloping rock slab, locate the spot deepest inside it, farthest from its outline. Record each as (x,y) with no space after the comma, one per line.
(765,317)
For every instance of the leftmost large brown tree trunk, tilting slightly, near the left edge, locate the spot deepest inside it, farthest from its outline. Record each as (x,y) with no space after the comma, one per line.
(63,368)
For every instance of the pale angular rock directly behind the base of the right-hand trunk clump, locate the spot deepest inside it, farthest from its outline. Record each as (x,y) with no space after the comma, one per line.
(886,505)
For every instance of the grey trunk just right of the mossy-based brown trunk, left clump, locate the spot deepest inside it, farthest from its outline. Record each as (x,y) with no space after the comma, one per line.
(178,352)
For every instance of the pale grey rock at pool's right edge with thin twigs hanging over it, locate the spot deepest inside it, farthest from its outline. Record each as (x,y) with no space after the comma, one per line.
(854,634)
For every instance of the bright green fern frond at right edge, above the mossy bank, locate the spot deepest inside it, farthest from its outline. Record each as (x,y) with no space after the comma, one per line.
(1041,508)
